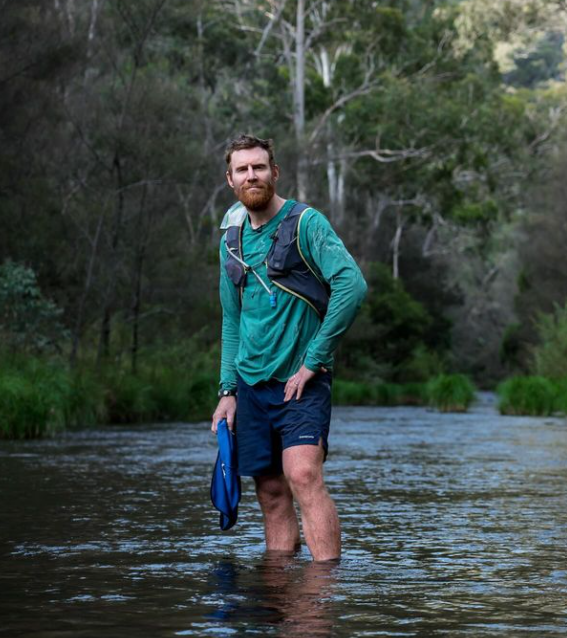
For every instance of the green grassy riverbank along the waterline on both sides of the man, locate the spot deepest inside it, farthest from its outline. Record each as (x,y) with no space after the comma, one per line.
(40,397)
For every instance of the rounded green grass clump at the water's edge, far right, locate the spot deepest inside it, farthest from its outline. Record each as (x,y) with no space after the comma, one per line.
(533,396)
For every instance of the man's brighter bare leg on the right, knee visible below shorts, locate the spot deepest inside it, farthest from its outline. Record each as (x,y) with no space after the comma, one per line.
(303,469)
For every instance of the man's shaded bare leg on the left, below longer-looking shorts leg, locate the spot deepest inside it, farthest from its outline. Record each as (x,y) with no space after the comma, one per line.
(280,520)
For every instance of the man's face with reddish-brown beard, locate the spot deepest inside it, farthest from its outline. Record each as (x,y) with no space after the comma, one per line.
(252,178)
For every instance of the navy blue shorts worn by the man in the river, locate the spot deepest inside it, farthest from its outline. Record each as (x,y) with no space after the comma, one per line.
(266,425)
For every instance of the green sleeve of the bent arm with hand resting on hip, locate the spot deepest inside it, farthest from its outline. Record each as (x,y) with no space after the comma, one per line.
(337,267)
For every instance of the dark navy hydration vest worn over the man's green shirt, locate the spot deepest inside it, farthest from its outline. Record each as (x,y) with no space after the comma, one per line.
(287,267)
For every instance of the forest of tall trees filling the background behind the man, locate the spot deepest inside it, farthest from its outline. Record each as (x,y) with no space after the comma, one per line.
(430,133)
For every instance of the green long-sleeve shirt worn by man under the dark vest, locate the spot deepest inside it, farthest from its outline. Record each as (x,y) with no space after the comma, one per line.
(260,342)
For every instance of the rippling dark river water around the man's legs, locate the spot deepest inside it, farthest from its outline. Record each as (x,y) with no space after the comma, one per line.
(453,525)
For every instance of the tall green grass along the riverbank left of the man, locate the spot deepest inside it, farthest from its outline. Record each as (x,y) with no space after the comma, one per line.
(39,397)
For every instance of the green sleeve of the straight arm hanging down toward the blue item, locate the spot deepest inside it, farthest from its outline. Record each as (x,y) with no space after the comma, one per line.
(230,302)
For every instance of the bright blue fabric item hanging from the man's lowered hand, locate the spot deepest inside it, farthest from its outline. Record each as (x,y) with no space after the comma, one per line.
(225,484)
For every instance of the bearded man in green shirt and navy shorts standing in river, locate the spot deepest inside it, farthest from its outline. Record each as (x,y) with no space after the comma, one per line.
(289,289)
